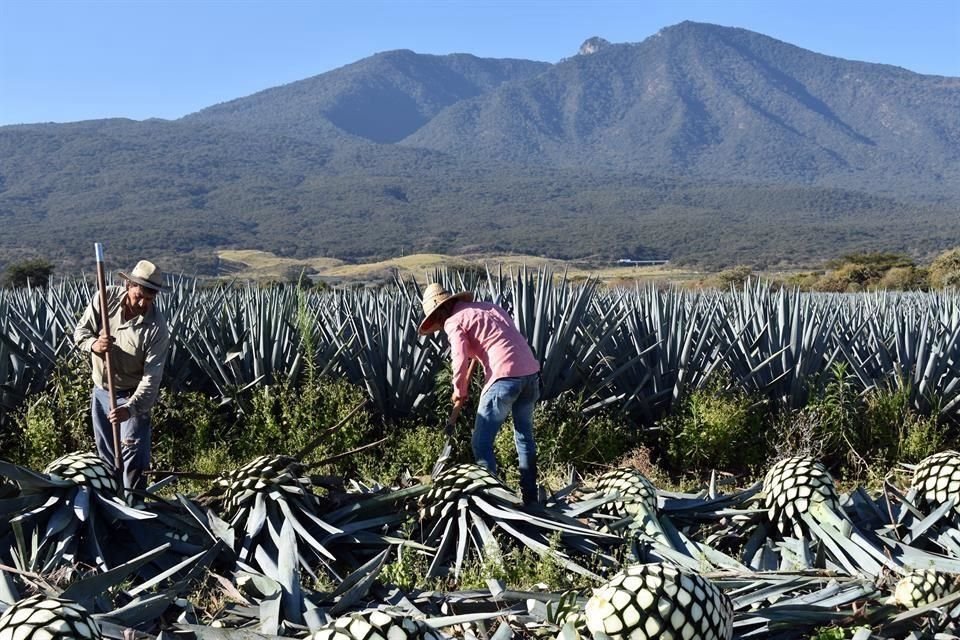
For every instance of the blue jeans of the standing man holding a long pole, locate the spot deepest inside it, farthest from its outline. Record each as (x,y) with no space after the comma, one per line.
(134,438)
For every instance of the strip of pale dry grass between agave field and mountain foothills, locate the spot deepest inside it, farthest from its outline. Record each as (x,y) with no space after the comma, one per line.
(261,265)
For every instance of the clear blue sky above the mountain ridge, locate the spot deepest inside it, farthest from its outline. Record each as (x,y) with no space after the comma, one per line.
(68,60)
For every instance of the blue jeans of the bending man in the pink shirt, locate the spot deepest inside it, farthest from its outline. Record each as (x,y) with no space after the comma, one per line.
(506,395)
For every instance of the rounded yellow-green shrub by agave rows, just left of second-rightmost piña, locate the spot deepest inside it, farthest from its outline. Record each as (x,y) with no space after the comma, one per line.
(715,428)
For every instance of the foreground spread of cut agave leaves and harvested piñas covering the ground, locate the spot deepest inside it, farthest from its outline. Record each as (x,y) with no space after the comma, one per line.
(286,556)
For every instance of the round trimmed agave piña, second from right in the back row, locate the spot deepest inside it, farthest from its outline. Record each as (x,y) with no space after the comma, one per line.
(791,486)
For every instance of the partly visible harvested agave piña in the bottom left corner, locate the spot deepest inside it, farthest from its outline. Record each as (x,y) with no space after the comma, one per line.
(43,618)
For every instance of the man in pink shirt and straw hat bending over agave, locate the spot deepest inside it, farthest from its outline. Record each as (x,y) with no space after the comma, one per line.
(483,331)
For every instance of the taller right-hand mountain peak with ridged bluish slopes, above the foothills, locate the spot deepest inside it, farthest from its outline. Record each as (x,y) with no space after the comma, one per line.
(712,102)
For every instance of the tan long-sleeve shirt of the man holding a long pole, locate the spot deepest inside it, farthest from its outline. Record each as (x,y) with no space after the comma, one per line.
(138,353)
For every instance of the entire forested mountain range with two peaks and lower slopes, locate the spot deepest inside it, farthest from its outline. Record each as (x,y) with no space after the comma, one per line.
(702,144)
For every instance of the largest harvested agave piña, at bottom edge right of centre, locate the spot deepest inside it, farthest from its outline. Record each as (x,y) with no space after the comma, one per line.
(659,602)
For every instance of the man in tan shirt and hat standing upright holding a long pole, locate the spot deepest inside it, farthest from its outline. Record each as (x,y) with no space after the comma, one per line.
(138,344)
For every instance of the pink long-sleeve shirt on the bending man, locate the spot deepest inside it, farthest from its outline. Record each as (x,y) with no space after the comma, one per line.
(484,331)
